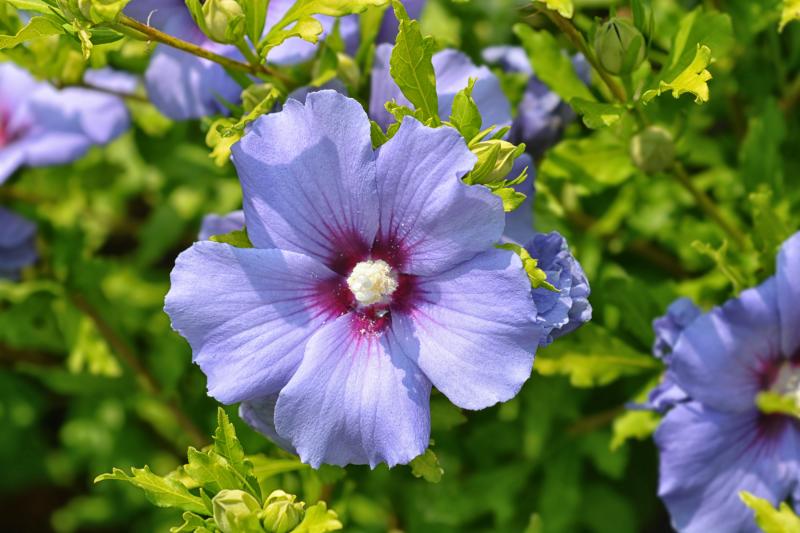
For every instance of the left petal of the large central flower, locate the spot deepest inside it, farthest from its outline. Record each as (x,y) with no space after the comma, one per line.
(247,314)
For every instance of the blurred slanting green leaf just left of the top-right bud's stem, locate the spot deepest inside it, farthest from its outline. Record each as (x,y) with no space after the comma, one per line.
(552,66)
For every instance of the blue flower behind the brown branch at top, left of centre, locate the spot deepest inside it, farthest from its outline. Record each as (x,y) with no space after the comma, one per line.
(184,86)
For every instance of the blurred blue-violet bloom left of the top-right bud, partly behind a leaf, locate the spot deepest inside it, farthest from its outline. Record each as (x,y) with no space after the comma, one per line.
(541,114)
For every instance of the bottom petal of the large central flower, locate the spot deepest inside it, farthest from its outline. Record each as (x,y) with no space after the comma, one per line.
(355,400)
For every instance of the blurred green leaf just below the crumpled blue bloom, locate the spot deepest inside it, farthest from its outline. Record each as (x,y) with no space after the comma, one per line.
(592,358)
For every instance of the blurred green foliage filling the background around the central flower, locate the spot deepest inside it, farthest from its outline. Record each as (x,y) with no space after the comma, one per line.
(92,377)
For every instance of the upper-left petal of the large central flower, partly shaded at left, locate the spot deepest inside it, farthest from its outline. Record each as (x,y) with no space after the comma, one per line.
(308,178)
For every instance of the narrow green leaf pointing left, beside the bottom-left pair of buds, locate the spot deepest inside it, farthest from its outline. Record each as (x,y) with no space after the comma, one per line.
(163,492)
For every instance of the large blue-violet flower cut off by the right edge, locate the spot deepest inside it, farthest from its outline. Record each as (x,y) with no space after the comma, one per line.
(715,442)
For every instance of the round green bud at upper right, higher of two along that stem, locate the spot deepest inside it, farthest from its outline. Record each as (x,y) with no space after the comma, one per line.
(619,46)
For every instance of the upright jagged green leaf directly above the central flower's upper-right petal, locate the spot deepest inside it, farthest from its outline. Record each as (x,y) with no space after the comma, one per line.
(411,65)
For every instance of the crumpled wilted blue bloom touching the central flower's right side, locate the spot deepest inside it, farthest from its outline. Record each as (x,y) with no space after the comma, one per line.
(563,311)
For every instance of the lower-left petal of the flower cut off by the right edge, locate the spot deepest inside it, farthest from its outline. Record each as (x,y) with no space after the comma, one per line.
(707,457)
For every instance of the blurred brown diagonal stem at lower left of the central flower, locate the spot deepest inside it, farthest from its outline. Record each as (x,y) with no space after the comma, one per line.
(145,378)
